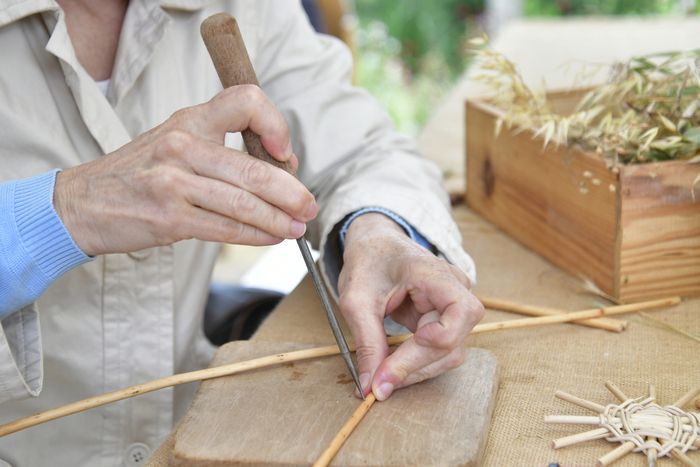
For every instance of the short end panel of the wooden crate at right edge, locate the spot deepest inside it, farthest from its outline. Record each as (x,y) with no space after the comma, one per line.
(660,220)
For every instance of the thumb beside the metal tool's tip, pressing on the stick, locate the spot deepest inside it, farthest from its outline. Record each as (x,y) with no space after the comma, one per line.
(367,327)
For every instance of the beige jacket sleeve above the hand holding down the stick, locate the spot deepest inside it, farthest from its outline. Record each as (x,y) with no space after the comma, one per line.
(350,154)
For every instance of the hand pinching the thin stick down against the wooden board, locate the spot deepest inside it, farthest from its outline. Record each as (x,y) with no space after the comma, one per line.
(385,272)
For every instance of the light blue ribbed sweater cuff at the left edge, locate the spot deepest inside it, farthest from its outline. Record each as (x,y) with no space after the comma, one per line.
(35,247)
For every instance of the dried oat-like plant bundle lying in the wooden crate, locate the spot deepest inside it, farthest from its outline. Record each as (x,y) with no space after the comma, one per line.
(648,110)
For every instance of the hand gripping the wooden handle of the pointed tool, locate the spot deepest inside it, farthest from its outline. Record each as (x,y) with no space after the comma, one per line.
(178,182)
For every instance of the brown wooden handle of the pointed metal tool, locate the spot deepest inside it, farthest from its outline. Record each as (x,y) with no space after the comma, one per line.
(227,50)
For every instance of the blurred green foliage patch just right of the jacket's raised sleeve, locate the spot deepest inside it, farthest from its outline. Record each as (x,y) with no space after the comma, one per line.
(410,52)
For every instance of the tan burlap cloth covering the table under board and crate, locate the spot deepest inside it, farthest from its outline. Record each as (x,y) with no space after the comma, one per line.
(537,361)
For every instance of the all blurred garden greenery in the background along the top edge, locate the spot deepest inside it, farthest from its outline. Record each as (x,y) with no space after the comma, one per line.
(411,52)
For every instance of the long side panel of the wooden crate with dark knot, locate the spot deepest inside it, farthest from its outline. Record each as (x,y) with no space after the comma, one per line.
(561,203)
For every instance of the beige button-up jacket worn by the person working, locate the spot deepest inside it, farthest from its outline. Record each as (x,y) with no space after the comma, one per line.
(128,318)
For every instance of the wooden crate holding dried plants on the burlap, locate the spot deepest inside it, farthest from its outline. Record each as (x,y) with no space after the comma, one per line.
(633,230)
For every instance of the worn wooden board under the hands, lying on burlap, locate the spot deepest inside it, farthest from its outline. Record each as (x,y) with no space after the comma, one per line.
(288,414)
